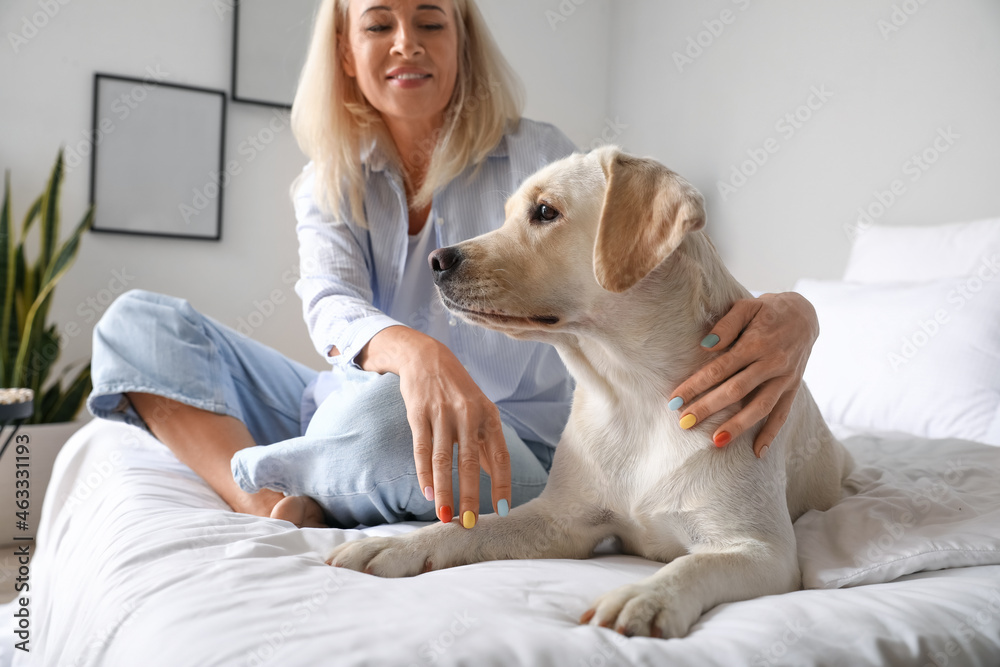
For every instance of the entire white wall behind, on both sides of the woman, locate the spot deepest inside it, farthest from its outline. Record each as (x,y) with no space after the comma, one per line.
(595,68)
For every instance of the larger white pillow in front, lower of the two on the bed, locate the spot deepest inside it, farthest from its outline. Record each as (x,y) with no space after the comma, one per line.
(920,358)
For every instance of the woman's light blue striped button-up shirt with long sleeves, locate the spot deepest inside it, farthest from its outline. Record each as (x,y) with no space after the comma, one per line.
(350,276)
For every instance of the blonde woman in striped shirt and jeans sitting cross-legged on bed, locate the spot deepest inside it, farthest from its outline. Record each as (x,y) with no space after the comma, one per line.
(409,114)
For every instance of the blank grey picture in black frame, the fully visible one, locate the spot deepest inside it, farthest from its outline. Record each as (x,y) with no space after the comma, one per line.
(157,158)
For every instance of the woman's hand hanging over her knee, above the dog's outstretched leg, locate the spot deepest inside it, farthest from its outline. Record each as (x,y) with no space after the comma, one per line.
(444,406)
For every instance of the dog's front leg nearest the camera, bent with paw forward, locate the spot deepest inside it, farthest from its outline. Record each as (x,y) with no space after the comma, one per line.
(669,602)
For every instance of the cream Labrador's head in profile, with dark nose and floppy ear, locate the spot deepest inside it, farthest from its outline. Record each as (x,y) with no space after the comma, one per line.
(577,232)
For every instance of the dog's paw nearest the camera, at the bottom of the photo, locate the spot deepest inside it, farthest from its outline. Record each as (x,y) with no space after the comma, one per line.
(642,610)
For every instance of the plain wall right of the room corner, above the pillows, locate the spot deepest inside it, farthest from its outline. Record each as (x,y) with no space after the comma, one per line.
(708,88)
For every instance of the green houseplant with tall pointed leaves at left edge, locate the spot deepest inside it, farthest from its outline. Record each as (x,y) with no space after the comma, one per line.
(29,345)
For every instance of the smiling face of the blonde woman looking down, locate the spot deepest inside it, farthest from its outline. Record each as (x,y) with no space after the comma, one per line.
(404,56)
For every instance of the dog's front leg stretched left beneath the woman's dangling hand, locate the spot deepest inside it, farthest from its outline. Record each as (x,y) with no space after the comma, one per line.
(541,528)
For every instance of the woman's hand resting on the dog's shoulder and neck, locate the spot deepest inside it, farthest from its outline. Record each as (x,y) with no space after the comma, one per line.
(769,340)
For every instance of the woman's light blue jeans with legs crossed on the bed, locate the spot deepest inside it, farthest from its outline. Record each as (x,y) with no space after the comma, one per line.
(353,454)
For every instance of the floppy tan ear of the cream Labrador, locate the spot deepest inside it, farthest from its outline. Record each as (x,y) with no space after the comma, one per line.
(647,211)
